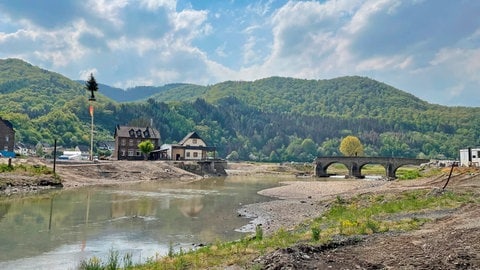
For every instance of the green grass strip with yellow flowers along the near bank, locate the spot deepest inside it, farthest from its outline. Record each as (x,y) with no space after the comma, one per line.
(360,215)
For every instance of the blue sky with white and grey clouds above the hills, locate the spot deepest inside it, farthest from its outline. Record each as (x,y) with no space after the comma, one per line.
(430,48)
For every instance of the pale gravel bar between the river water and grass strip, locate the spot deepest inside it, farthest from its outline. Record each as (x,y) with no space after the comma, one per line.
(297,201)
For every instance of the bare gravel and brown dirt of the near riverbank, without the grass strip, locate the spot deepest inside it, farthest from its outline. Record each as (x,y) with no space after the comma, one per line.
(451,240)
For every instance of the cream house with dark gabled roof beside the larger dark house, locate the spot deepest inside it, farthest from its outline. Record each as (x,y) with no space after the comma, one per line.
(191,147)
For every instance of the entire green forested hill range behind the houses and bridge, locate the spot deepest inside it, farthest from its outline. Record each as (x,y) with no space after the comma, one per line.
(272,119)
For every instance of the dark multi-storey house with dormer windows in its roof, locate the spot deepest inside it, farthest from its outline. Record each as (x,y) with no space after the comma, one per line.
(127,139)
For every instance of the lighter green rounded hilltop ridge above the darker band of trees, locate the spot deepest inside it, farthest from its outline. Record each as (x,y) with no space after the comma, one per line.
(340,97)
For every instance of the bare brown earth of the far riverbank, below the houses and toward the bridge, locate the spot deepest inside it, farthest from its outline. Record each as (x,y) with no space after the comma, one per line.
(85,173)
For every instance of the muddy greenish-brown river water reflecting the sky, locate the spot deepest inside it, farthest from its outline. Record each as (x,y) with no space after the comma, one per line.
(59,229)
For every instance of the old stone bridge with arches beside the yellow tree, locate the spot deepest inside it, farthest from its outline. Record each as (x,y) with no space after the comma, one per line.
(355,164)
